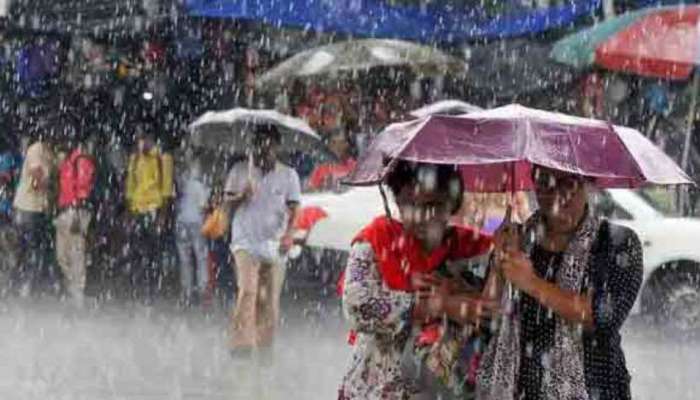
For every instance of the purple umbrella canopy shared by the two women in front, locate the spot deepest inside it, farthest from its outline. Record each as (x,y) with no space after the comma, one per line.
(496,149)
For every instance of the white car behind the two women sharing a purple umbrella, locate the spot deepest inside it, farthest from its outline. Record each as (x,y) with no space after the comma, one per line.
(671,289)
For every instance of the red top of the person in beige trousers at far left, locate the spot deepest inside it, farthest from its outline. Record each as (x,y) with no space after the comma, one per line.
(76,176)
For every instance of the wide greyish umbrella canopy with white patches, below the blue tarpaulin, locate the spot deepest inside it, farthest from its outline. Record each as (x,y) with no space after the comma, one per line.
(361,55)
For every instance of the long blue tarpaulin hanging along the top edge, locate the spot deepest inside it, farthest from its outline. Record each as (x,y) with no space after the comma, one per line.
(439,21)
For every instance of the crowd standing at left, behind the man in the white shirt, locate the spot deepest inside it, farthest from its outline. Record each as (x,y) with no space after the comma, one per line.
(72,221)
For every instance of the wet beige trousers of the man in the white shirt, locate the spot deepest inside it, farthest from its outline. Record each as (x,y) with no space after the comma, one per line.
(257,310)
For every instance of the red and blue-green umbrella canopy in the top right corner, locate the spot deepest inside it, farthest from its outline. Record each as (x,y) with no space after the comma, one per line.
(659,42)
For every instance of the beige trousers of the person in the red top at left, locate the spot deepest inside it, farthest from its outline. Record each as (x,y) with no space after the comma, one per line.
(71,248)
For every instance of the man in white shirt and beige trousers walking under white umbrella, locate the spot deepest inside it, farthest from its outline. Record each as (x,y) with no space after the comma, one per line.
(264,195)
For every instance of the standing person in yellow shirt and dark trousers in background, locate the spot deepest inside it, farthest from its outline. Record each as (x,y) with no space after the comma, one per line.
(149,194)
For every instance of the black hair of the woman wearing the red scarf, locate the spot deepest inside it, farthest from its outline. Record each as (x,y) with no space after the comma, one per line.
(447,179)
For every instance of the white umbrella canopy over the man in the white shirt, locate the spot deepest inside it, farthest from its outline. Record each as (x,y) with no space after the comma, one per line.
(230,130)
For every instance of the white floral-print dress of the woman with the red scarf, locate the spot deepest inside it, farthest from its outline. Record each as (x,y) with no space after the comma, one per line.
(381,317)
